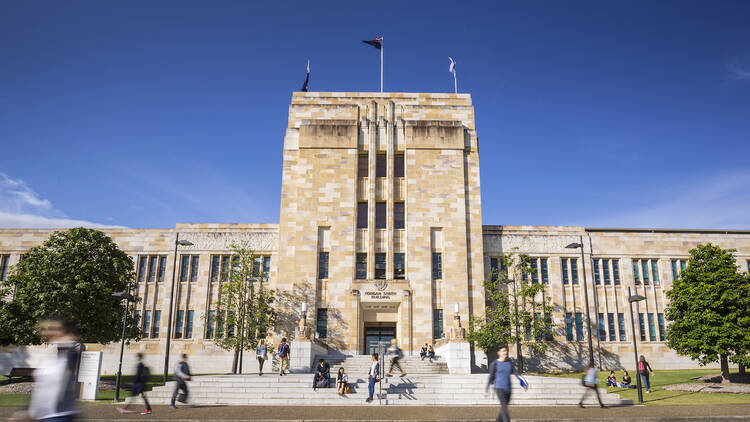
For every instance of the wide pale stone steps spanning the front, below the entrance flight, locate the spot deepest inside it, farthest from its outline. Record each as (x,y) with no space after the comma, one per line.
(417,389)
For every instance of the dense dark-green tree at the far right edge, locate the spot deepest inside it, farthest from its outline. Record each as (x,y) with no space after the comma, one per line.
(709,309)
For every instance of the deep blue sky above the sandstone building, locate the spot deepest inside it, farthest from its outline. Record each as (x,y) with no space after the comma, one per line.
(595,113)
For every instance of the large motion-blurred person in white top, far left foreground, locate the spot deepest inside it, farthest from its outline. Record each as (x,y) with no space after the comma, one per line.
(55,386)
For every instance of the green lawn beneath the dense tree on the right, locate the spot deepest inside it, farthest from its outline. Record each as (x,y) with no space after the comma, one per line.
(659,396)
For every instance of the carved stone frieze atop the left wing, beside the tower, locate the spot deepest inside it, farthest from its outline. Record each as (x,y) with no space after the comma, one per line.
(214,241)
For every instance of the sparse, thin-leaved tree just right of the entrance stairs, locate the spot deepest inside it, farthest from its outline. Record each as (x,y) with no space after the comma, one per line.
(497,326)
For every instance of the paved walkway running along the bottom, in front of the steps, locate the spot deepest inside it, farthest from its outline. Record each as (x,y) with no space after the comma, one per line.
(733,412)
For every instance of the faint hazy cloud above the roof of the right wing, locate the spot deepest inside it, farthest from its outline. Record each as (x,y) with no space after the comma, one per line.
(720,202)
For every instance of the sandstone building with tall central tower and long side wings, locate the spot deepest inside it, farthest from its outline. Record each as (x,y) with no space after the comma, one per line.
(381,234)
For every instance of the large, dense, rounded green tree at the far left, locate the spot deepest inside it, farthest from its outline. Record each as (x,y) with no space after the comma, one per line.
(73,273)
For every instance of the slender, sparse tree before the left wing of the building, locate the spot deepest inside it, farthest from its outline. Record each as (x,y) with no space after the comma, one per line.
(245,304)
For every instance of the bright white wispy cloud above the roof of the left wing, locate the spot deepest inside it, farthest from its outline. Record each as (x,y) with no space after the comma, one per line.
(21,207)
